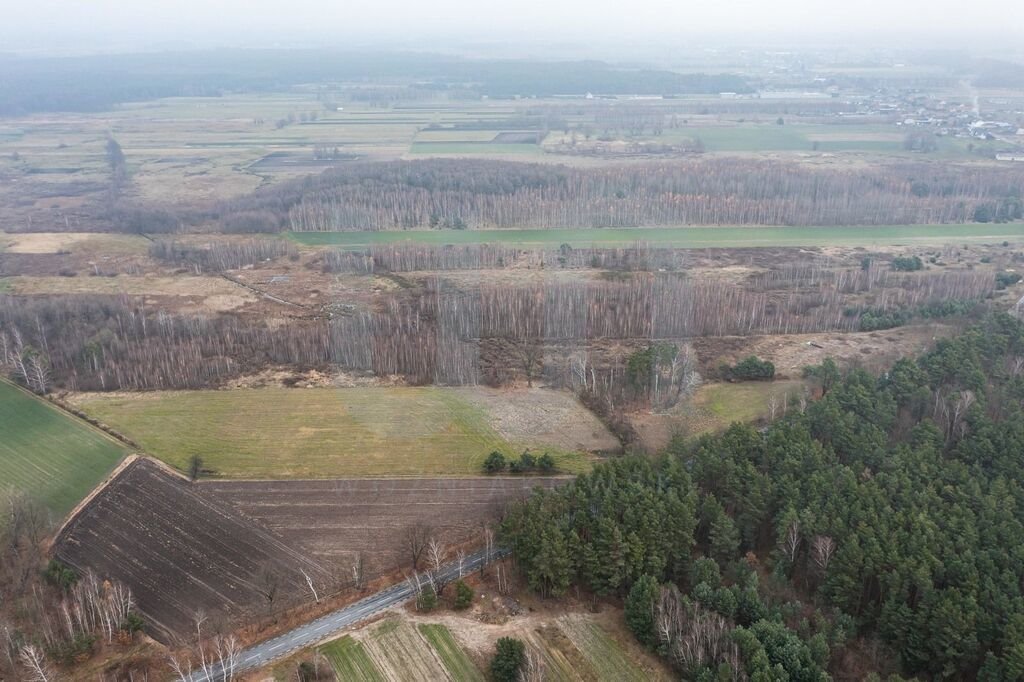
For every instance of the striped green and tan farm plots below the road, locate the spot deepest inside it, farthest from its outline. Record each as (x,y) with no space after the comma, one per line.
(573,649)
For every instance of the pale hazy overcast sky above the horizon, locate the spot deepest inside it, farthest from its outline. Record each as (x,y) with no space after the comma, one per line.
(46,25)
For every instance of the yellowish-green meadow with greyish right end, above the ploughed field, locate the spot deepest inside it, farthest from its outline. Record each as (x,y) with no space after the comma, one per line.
(359,432)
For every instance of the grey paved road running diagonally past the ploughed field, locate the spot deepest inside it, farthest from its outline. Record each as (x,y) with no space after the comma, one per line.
(327,626)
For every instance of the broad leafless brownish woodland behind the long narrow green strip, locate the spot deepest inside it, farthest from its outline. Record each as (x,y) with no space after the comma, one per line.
(740,192)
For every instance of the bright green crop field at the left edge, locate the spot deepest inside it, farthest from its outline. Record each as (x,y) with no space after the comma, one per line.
(49,455)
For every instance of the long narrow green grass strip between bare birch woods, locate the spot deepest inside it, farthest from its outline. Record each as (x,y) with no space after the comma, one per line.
(695,238)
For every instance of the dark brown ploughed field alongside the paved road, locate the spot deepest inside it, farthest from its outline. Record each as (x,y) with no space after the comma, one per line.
(182,546)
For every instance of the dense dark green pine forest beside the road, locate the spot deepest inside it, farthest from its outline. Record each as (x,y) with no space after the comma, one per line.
(888,511)
